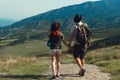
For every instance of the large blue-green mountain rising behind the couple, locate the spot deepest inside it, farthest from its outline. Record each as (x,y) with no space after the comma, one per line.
(98,14)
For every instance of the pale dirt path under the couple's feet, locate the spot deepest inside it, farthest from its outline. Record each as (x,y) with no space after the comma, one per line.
(70,71)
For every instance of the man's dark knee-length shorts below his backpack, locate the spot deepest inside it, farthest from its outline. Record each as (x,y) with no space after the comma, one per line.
(79,51)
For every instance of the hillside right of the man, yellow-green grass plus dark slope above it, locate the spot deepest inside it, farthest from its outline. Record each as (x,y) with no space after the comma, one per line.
(105,52)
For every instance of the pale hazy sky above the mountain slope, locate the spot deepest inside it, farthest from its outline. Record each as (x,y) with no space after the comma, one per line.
(19,9)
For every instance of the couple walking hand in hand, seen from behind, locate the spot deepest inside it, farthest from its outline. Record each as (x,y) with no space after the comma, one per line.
(79,48)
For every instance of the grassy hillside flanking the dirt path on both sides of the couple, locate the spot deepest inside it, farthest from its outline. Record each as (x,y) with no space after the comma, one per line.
(27,60)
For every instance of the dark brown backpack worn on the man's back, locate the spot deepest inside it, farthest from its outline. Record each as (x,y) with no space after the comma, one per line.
(83,34)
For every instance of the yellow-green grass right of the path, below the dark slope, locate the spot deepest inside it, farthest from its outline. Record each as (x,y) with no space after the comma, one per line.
(108,59)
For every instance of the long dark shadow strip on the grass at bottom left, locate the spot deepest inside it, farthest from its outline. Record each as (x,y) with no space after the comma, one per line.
(26,76)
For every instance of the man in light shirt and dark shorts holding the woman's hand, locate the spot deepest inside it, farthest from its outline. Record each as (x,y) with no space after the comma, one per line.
(79,48)
